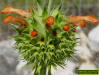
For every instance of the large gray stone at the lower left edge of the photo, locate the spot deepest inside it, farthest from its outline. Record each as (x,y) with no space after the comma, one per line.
(8,60)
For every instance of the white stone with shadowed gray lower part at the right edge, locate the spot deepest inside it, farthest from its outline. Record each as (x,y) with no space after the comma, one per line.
(94,44)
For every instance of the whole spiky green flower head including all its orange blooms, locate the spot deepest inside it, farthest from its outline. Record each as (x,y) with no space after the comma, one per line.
(46,38)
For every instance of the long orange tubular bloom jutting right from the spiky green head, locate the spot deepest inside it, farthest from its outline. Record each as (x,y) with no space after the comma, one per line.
(81,20)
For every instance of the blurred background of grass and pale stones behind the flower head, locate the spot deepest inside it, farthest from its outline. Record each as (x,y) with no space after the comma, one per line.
(87,55)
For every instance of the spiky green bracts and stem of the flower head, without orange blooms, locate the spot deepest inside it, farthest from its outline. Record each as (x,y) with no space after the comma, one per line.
(54,50)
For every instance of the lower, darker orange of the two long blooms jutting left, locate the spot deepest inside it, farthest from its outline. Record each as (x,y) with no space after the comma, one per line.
(9,19)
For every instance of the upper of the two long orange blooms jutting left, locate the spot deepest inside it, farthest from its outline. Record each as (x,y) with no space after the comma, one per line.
(10,9)
